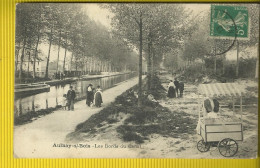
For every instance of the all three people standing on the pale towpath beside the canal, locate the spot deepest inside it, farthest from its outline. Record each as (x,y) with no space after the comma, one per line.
(94,97)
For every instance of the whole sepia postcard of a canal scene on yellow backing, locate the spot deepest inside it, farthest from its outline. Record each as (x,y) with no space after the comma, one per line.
(136,80)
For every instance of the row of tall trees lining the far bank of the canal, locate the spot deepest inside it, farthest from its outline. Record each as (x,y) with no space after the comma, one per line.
(67,26)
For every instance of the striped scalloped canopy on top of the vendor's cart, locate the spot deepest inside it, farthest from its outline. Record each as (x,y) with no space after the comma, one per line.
(221,89)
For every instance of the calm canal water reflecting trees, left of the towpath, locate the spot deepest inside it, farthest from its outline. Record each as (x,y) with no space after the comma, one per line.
(54,97)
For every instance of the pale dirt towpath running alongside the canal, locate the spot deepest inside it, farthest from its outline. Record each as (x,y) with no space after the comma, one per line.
(38,139)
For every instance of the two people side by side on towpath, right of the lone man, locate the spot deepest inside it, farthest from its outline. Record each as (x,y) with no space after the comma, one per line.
(94,96)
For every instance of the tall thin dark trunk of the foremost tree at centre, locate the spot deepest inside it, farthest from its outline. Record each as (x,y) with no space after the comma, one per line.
(140,62)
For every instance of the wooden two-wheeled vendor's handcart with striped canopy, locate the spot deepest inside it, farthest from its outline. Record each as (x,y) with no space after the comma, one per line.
(221,132)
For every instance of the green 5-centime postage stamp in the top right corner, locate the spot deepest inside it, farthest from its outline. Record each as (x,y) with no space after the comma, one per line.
(229,21)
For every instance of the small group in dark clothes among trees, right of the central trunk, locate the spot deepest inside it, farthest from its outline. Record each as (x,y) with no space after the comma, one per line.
(175,89)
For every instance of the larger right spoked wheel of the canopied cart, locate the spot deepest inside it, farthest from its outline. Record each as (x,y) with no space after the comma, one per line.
(227,147)
